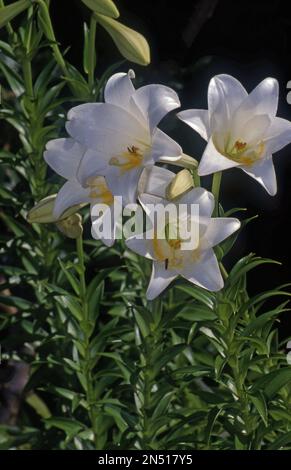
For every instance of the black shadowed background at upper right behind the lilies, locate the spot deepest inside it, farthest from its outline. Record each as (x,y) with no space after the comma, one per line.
(192,40)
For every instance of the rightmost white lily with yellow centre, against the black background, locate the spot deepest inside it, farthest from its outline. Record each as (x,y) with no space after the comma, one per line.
(242,129)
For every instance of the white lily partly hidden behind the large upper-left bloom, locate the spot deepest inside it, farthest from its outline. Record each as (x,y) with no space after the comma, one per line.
(64,157)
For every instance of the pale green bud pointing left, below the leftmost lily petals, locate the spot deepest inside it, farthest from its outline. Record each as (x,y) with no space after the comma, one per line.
(42,212)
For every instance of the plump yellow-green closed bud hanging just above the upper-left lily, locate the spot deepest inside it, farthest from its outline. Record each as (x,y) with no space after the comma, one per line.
(131,44)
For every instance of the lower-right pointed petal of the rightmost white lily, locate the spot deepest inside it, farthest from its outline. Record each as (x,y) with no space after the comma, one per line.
(264,173)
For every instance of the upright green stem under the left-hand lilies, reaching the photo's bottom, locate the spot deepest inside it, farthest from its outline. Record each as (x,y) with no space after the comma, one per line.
(85,325)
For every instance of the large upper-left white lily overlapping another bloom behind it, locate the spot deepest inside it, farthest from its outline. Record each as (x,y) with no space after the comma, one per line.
(121,135)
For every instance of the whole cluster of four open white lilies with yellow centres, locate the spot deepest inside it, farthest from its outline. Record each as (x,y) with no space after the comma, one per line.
(114,146)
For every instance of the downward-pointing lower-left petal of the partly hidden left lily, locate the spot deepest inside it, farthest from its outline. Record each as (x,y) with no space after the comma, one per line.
(70,194)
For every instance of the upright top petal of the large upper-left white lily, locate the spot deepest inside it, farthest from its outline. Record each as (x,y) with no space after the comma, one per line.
(119,89)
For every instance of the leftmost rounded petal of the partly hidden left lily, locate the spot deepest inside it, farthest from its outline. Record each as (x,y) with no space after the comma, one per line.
(64,156)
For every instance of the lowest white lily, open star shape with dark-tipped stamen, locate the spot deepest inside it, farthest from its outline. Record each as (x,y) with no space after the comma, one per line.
(198,265)
